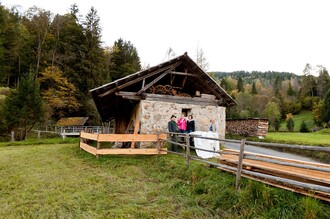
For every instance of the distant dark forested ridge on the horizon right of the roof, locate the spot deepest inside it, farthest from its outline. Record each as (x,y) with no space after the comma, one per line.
(250,76)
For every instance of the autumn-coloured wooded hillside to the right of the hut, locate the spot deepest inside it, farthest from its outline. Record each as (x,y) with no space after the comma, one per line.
(278,96)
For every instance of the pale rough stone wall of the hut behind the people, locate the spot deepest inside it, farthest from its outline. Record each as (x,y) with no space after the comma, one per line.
(155,115)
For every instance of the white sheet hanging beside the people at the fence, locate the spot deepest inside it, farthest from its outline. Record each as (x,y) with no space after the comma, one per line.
(206,144)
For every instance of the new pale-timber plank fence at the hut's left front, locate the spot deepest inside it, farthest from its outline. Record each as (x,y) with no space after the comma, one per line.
(87,138)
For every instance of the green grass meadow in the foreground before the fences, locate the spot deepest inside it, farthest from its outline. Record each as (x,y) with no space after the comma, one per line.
(62,181)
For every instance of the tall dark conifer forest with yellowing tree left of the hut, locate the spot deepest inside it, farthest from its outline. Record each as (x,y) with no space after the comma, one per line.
(63,56)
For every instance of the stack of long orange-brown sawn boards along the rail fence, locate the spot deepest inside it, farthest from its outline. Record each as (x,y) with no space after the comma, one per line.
(312,179)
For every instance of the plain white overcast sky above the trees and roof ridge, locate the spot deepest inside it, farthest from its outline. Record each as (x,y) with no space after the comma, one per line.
(249,35)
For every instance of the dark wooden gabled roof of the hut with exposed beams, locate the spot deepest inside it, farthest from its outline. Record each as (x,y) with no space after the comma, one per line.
(181,75)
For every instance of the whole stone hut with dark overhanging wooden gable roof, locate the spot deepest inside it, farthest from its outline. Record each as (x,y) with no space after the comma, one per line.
(152,95)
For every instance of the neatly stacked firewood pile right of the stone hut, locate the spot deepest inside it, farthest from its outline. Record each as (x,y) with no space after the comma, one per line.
(247,127)
